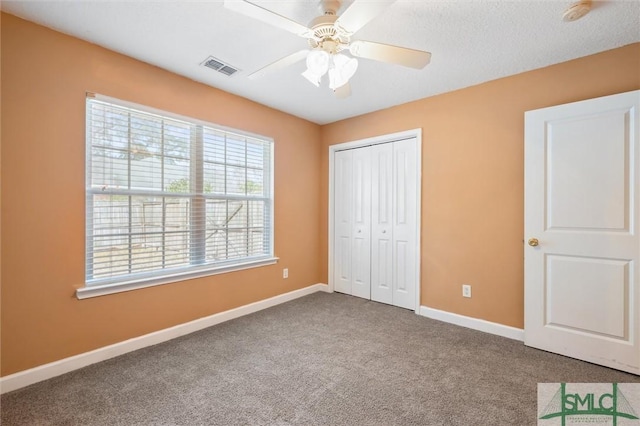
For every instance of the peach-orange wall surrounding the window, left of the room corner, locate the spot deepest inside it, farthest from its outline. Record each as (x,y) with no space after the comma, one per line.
(45,75)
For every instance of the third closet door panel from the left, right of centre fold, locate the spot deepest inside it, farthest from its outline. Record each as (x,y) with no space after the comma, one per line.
(382,223)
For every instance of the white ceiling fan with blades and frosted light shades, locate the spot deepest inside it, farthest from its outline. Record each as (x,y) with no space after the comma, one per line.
(329,35)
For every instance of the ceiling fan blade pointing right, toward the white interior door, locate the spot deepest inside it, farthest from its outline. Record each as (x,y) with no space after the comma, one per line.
(387,53)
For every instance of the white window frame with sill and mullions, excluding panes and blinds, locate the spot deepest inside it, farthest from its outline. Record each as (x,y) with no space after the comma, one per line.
(116,284)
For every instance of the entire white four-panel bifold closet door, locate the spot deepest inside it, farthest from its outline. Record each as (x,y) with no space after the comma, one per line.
(375,222)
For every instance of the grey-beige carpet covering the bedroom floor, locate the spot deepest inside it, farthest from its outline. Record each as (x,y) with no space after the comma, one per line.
(325,359)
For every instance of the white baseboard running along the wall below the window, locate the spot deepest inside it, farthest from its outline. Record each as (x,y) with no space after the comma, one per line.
(56,368)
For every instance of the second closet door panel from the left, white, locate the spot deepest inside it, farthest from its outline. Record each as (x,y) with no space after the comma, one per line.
(361,220)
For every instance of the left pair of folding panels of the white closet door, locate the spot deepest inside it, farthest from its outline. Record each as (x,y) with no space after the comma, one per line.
(352,194)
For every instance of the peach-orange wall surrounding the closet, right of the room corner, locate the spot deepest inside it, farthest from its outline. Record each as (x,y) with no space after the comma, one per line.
(472,176)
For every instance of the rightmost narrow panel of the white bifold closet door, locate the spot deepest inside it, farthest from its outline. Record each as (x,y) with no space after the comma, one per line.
(405,236)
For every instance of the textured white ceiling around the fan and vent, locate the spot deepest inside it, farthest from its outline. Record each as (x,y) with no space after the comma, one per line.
(471,41)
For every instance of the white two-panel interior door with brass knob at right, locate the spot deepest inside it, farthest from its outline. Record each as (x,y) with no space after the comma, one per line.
(582,293)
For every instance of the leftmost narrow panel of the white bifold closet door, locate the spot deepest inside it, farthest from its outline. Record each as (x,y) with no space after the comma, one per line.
(343,222)
